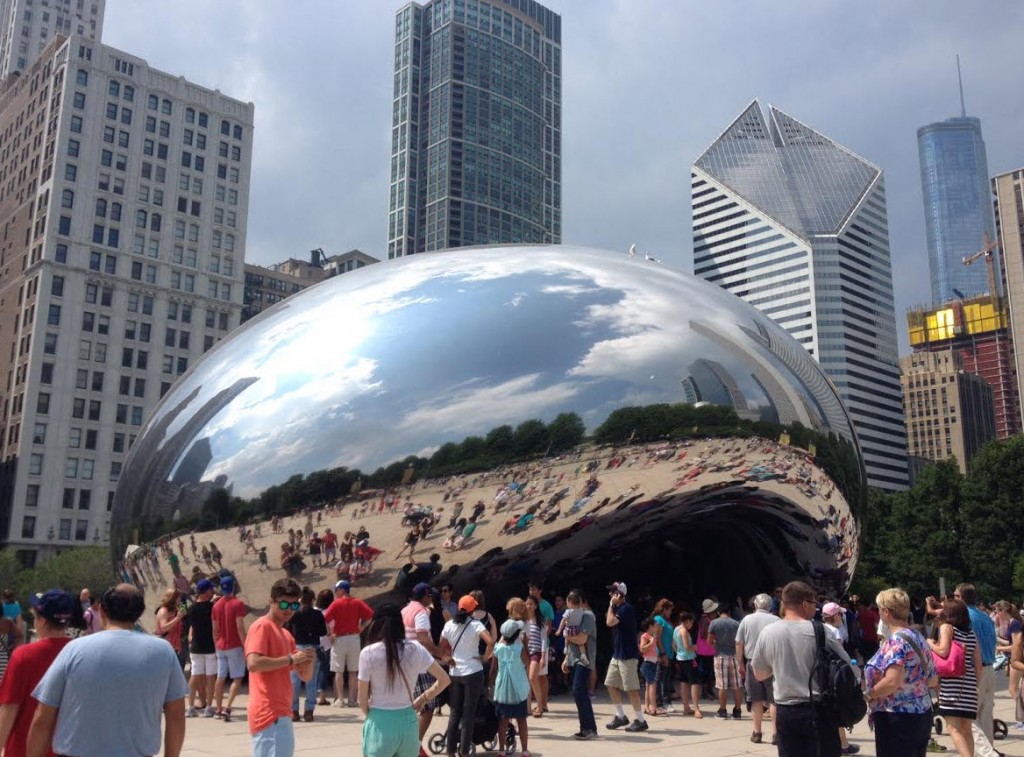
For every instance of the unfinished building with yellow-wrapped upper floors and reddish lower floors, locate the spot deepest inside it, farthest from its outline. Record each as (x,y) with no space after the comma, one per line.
(978,329)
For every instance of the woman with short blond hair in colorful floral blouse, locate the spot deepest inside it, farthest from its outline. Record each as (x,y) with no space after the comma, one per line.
(898,682)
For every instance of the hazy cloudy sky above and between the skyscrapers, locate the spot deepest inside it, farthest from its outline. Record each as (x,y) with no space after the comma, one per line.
(647,88)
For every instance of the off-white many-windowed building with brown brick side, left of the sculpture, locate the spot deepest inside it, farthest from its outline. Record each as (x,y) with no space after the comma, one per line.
(124,196)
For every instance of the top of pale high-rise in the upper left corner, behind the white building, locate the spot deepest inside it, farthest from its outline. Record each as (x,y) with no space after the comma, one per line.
(28,26)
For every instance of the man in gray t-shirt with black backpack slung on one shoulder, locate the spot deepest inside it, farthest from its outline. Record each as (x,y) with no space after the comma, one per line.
(787,650)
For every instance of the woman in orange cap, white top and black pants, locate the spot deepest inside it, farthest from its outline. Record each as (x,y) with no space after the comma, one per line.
(461,646)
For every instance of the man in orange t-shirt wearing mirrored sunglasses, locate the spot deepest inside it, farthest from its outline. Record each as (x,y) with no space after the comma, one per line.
(271,657)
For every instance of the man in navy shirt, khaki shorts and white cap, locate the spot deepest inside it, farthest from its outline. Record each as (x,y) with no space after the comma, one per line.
(623,675)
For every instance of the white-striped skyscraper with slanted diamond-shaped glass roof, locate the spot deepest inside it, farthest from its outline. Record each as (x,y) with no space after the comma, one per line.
(796,225)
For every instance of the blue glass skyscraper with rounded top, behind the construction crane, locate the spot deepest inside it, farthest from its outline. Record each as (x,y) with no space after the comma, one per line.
(958,205)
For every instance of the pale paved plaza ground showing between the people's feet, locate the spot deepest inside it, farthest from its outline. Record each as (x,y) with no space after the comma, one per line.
(337,732)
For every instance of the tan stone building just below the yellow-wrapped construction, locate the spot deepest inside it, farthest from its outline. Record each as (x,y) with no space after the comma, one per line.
(950,412)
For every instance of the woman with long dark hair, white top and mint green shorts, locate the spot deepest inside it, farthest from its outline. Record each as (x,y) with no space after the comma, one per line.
(390,665)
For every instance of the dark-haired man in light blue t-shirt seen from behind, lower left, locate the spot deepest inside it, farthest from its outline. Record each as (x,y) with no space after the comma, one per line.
(132,677)
